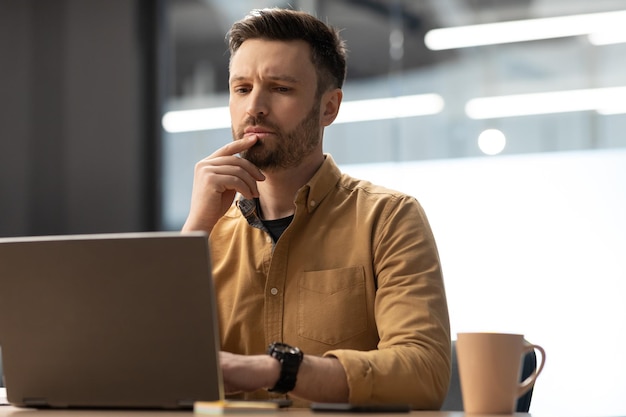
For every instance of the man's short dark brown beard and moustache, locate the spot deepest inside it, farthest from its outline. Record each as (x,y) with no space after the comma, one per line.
(286,149)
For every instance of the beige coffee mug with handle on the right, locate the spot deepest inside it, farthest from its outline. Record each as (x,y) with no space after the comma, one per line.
(490,368)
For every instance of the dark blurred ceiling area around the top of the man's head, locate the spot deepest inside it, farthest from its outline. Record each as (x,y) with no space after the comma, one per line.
(379,33)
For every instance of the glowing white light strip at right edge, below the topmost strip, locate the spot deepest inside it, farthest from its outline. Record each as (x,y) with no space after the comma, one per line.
(604,100)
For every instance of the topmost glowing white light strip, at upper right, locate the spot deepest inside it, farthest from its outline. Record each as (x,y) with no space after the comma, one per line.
(524,30)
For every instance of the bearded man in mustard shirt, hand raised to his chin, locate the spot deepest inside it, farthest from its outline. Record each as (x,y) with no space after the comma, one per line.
(334,267)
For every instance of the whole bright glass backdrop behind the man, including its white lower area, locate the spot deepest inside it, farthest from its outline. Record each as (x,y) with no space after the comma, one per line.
(515,146)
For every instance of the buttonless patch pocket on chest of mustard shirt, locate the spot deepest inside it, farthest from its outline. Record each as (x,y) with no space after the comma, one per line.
(332,305)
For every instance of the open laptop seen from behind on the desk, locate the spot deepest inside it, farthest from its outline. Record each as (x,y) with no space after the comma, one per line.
(109,321)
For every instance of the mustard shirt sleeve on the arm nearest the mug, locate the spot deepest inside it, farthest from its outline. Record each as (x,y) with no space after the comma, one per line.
(412,362)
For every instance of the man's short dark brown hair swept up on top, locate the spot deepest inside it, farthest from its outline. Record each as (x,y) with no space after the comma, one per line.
(328,50)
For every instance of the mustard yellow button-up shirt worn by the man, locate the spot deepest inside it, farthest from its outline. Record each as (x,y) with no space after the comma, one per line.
(356,275)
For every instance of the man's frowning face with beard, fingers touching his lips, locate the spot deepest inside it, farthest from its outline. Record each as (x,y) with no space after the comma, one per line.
(273,96)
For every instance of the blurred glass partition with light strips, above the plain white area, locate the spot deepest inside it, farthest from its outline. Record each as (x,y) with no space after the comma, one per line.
(557,91)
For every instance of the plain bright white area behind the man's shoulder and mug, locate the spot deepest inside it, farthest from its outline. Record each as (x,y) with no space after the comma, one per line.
(534,244)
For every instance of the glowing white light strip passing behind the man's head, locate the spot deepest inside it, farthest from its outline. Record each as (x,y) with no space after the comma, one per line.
(351,111)
